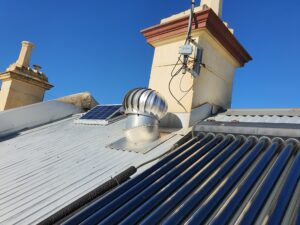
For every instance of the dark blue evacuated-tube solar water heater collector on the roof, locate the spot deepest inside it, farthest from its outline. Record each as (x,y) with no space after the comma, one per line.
(215,179)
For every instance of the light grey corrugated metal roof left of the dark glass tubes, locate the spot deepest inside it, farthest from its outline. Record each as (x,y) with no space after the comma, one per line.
(46,168)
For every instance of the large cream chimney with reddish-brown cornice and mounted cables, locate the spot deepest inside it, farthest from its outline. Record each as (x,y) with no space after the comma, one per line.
(215,52)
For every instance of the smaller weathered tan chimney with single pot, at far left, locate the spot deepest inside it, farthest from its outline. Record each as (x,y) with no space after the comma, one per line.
(22,85)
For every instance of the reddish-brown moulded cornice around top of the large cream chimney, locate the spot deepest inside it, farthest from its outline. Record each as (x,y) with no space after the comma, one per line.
(204,19)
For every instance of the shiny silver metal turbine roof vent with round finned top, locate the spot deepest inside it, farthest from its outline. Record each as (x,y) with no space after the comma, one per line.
(144,108)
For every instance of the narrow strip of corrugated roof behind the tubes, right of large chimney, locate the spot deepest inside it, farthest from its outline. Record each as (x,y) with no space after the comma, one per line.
(289,116)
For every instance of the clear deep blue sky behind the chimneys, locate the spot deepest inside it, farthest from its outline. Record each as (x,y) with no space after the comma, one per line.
(96,45)
